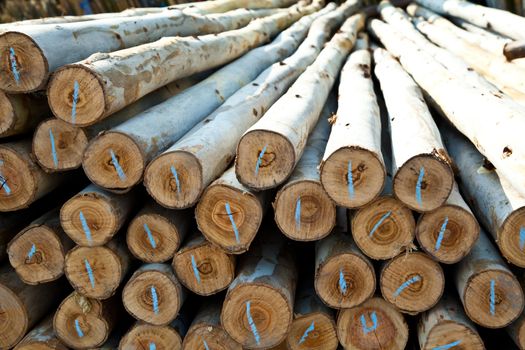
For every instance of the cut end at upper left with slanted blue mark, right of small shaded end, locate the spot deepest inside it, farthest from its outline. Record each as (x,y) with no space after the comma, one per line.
(114,161)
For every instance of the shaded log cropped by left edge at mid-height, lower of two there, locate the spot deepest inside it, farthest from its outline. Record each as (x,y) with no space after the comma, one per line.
(22,180)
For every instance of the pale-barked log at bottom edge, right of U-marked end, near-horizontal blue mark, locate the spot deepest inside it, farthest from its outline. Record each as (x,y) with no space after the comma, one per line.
(447,325)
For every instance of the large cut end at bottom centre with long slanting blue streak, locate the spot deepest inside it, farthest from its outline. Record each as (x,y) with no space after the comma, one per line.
(260,322)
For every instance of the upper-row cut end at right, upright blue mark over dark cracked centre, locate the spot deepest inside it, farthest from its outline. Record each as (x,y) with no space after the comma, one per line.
(423,183)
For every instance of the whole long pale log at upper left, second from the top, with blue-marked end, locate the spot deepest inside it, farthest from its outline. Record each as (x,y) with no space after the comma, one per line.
(129,74)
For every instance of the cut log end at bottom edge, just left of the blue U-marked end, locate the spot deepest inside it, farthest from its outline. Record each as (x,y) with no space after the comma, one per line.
(314,331)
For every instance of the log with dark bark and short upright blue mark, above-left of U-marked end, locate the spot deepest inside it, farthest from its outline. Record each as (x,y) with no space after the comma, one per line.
(344,277)
